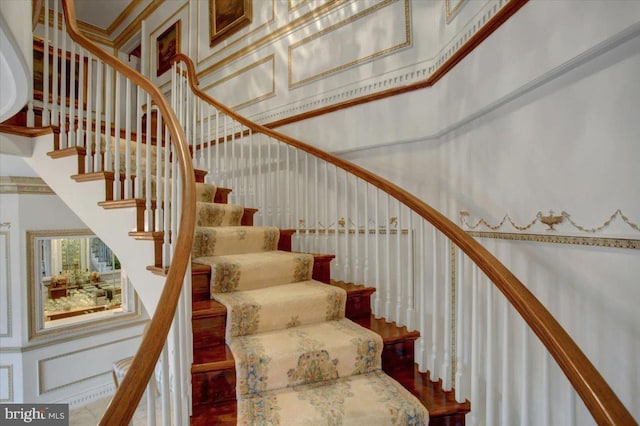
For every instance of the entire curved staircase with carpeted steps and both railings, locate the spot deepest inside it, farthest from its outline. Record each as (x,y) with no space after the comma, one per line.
(380,235)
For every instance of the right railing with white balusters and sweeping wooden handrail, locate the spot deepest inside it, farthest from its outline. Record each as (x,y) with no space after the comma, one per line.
(429,274)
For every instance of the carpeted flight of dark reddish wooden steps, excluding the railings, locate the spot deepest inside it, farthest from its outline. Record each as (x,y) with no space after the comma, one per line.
(284,293)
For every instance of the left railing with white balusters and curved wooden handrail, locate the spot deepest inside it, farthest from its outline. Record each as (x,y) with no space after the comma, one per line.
(98,103)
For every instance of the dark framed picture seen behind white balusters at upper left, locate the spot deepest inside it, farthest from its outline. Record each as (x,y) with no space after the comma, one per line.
(38,74)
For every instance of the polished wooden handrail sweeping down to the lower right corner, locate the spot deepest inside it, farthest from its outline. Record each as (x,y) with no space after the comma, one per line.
(605,407)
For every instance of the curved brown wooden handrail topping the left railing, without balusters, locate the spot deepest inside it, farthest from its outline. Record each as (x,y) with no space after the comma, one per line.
(126,399)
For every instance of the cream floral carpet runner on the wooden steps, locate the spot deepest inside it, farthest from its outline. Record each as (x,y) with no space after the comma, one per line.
(299,361)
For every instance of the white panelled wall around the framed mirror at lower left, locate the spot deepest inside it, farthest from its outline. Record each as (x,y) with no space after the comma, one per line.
(73,368)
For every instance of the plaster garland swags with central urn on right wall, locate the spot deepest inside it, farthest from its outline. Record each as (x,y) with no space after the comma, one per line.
(551,220)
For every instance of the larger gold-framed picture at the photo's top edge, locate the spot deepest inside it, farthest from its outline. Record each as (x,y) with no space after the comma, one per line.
(226,17)
